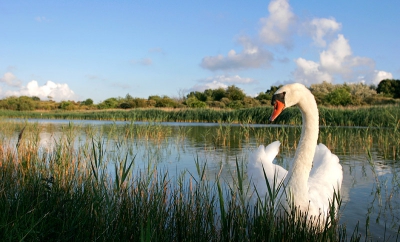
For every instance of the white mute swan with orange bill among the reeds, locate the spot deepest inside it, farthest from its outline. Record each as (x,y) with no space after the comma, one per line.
(315,174)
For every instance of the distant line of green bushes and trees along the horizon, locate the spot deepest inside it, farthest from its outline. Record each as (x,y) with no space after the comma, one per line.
(232,97)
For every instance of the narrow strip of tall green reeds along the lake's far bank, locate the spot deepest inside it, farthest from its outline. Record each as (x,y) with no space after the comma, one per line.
(384,116)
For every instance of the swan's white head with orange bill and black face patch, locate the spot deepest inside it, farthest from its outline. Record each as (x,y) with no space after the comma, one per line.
(287,96)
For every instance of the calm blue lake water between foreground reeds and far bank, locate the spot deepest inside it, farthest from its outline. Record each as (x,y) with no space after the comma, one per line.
(370,189)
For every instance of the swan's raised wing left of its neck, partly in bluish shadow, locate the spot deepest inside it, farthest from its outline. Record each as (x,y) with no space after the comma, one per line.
(262,158)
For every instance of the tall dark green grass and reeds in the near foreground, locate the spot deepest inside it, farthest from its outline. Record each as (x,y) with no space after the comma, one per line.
(66,193)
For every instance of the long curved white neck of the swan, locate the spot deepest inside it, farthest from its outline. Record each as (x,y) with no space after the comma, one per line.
(300,171)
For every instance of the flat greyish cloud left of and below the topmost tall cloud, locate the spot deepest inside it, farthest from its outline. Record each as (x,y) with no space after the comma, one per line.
(252,56)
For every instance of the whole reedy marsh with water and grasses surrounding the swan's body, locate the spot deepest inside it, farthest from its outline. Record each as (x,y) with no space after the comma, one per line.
(153,181)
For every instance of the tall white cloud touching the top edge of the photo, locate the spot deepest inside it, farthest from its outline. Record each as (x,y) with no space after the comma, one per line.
(276,28)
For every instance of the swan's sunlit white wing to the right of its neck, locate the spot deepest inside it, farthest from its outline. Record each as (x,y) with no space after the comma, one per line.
(325,177)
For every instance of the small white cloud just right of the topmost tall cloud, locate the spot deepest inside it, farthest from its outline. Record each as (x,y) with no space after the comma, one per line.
(319,28)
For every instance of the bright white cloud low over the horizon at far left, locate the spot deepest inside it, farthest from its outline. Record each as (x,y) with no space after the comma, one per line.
(57,91)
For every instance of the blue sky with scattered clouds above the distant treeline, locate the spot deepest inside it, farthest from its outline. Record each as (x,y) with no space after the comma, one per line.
(75,50)
